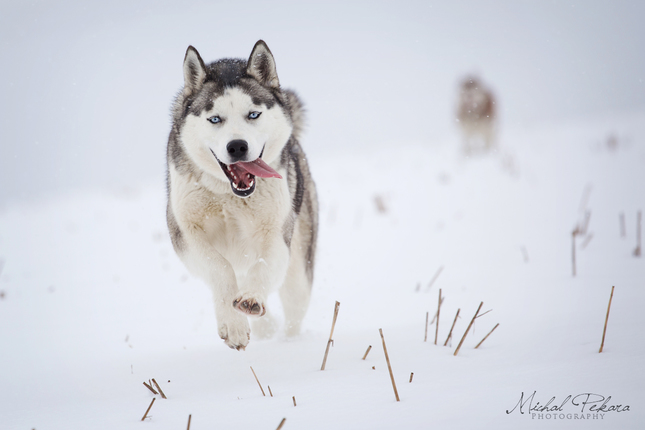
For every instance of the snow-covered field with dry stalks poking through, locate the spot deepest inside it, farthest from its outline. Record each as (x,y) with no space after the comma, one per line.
(93,301)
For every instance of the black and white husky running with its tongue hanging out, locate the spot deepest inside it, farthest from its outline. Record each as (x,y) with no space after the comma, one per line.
(242,207)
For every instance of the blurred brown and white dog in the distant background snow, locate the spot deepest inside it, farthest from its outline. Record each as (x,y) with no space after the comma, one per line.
(476,115)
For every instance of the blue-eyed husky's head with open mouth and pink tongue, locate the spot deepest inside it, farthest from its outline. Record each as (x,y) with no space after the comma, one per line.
(234,124)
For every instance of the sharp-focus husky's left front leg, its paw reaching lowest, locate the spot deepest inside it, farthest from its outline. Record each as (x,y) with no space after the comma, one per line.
(205,262)
